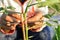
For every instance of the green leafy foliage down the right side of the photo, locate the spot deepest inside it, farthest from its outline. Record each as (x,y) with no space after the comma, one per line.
(55,6)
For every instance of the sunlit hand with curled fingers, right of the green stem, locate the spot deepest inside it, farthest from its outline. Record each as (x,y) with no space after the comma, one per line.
(36,22)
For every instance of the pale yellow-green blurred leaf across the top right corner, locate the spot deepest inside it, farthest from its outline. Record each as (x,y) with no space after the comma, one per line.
(47,2)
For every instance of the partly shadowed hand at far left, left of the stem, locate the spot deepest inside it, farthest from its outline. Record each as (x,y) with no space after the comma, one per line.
(9,22)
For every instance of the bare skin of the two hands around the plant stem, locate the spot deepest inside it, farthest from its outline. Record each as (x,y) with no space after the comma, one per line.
(10,21)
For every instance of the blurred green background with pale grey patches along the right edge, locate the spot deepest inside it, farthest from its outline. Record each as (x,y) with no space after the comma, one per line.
(53,16)
